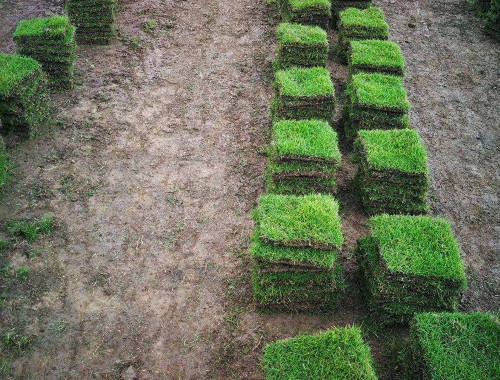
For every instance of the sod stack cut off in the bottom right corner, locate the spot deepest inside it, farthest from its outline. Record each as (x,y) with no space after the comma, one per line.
(454,346)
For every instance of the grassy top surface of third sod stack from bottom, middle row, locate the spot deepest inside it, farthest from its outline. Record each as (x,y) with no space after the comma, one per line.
(313,139)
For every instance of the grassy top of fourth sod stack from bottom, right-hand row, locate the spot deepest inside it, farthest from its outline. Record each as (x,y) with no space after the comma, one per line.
(379,91)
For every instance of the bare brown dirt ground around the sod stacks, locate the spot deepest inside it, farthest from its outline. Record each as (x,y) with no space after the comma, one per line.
(155,162)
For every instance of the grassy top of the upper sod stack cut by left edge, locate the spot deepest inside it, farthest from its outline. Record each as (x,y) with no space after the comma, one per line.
(13,70)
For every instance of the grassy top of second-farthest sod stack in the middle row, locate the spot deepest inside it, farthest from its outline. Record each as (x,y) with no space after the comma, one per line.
(298,34)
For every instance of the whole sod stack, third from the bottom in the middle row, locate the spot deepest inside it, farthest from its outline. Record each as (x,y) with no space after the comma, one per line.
(304,157)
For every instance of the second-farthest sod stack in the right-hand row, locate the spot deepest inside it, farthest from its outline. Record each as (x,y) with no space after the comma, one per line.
(360,24)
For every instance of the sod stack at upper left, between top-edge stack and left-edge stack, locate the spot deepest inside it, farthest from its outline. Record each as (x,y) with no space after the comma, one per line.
(50,41)
